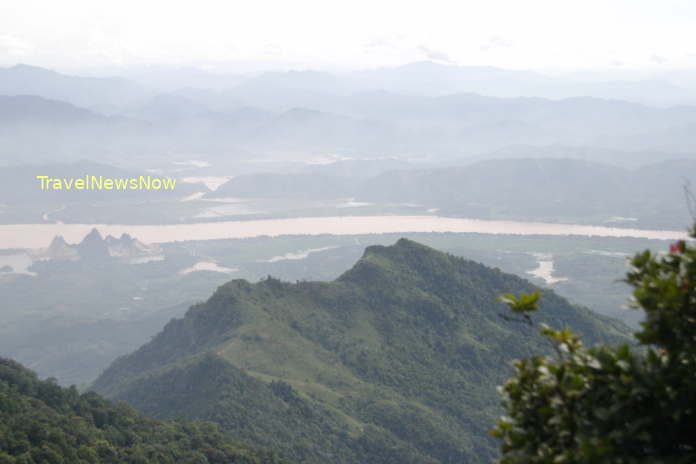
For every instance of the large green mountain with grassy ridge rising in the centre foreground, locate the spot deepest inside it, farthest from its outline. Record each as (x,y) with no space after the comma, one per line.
(395,361)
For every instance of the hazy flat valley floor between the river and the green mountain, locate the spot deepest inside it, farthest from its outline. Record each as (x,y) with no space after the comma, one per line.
(88,325)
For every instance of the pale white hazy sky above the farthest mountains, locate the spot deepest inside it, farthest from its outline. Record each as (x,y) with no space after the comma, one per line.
(536,34)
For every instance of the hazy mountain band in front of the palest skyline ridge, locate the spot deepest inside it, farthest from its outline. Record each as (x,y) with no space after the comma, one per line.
(281,123)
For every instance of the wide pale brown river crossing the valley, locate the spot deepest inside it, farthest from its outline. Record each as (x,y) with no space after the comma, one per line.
(39,235)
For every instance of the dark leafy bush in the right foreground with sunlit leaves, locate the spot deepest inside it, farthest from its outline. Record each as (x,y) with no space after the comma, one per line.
(612,404)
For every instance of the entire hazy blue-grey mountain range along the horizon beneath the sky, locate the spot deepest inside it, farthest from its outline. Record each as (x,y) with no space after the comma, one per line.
(303,113)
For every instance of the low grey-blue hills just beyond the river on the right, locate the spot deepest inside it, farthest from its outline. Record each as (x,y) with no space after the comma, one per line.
(543,189)
